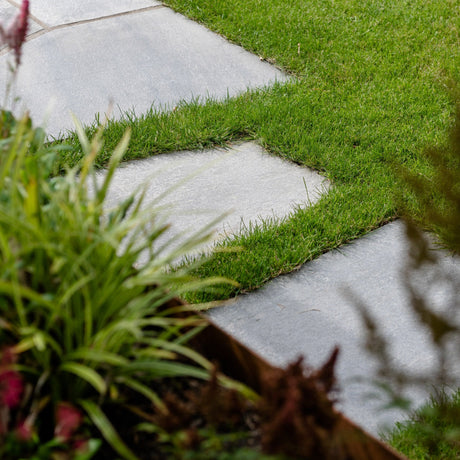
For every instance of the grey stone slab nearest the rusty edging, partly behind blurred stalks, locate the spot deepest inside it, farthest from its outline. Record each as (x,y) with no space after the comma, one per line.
(308,312)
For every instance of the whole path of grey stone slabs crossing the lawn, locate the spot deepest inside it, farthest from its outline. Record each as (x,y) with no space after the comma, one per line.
(83,56)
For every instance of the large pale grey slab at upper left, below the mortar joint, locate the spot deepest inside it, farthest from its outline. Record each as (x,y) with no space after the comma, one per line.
(151,57)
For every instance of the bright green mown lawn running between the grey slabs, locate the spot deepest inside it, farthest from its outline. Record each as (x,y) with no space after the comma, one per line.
(370,94)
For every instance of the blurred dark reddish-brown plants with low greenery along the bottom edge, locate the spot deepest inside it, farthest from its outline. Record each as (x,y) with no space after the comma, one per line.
(293,418)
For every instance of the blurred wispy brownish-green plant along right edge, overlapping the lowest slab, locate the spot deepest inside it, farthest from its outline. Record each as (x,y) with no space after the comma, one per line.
(438,196)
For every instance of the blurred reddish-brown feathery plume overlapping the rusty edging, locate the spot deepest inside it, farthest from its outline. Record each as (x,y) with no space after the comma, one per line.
(297,415)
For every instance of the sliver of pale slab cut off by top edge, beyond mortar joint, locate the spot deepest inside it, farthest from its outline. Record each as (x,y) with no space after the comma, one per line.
(56,13)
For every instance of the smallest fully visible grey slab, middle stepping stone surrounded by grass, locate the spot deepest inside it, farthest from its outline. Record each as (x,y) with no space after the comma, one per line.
(244,181)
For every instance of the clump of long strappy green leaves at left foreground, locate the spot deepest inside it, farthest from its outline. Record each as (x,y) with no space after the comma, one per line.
(85,324)
